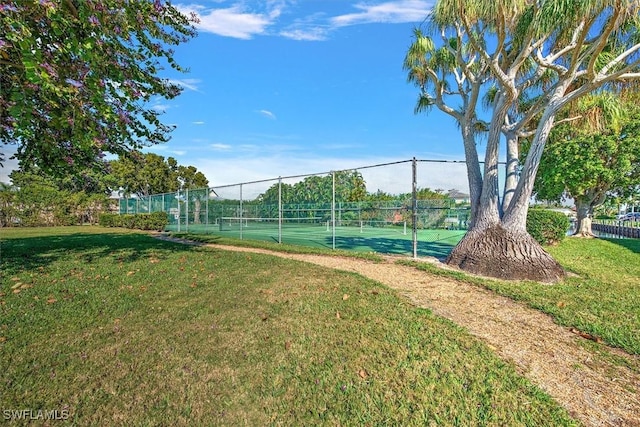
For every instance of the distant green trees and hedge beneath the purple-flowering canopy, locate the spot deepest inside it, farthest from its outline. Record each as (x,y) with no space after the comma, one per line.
(36,198)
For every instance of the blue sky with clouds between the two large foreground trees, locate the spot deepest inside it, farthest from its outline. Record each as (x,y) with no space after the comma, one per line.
(287,87)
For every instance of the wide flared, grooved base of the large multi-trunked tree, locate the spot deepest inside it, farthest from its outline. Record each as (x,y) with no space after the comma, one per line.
(504,254)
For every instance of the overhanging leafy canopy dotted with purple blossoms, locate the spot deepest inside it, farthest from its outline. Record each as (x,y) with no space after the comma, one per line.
(76,77)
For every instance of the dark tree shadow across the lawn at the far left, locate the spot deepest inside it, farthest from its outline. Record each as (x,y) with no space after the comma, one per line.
(31,253)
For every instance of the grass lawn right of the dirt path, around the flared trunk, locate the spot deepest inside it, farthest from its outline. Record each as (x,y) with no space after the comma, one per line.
(601,297)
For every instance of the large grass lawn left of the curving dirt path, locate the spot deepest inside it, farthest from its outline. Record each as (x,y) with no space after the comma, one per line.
(118,328)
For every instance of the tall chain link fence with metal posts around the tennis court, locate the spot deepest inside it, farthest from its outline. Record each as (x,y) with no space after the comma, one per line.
(412,207)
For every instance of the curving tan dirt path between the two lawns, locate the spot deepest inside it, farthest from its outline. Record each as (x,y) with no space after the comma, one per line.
(594,391)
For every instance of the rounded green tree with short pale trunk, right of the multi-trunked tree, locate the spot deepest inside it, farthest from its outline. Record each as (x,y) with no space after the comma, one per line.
(593,157)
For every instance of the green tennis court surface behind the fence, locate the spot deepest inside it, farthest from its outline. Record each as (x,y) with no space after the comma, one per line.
(393,240)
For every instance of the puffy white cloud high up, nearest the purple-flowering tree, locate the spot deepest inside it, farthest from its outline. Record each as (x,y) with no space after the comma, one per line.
(233,21)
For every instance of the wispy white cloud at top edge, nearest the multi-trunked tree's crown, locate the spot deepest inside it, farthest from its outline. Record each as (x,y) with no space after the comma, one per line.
(388,12)
